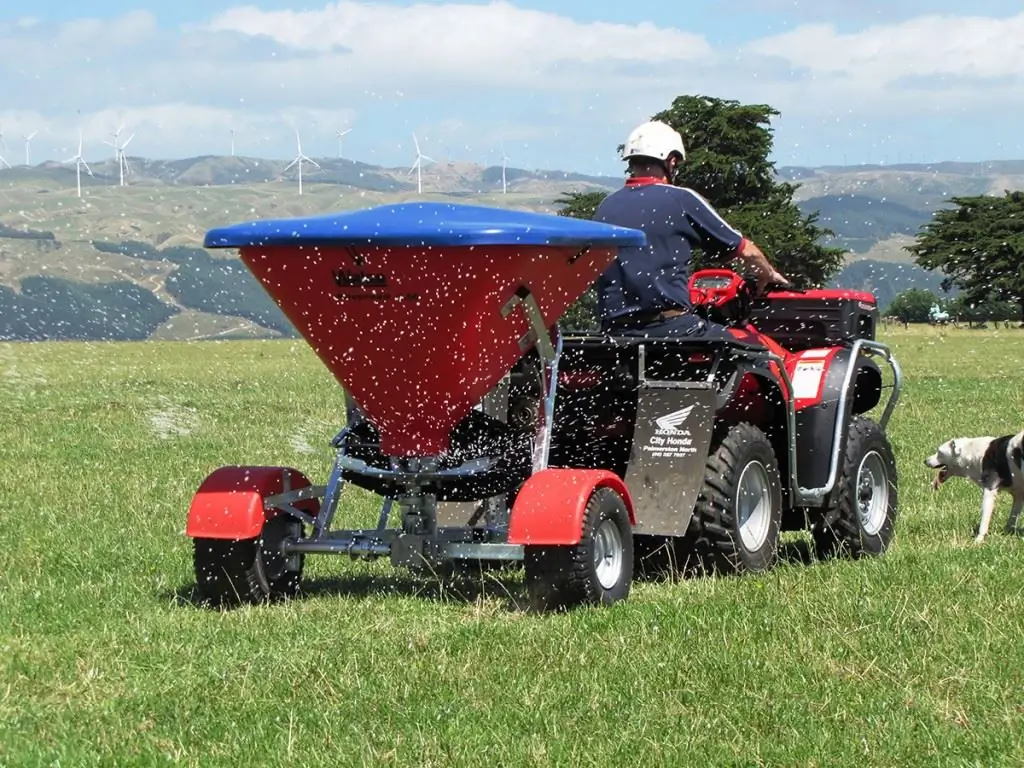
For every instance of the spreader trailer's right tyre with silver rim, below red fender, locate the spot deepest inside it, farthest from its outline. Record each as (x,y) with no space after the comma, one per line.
(599,571)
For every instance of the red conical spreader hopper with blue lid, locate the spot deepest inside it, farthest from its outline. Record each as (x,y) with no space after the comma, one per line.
(404,304)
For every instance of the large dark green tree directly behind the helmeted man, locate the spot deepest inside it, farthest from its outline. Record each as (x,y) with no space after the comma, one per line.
(729,145)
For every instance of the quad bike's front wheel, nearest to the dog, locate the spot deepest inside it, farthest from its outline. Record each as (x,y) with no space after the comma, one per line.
(862,521)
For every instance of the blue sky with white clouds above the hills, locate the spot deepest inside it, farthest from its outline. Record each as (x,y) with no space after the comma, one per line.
(557,84)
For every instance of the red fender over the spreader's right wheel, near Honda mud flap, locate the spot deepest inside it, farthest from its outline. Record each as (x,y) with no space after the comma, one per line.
(549,508)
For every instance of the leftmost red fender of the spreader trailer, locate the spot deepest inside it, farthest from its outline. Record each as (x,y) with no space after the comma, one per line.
(230,502)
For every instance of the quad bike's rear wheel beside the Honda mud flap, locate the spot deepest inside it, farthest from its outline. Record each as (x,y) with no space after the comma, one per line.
(739,514)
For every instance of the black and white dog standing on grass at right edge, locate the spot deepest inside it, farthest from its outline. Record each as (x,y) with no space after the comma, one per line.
(995,464)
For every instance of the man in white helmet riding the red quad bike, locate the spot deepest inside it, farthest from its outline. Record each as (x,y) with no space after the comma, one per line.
(647,289)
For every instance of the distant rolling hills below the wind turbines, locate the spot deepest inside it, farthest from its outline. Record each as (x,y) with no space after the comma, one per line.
(129,263)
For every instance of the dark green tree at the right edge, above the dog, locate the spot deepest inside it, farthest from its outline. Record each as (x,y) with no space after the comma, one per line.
(979,247)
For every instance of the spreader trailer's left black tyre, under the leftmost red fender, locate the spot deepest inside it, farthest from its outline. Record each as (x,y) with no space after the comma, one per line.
(250,571)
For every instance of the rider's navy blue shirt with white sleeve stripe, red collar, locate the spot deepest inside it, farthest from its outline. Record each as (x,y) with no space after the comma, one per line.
(657,277)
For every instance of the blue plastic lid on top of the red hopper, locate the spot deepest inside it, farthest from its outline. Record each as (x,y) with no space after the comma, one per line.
(426,225)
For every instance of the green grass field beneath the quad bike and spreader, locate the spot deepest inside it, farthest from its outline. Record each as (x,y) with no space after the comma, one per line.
(916,659)
